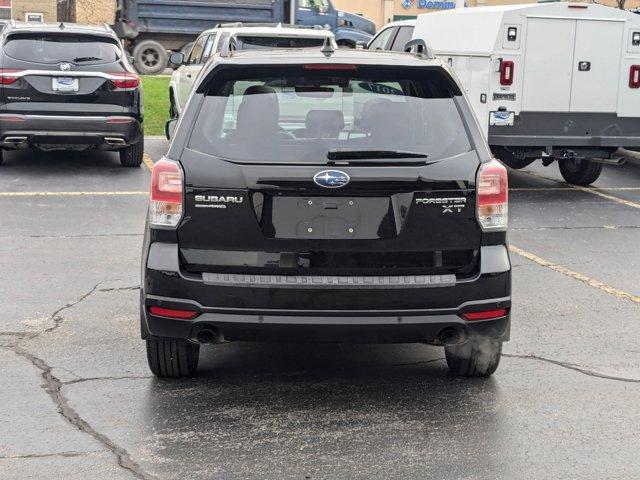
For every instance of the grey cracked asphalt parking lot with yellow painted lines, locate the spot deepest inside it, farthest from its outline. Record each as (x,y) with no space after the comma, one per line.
(79,402)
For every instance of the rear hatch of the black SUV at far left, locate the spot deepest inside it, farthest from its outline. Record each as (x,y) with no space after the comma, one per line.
(66,73)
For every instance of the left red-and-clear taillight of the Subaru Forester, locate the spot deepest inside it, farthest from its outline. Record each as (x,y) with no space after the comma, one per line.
(165,209)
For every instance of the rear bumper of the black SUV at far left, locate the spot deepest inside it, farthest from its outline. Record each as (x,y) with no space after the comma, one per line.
(109,132)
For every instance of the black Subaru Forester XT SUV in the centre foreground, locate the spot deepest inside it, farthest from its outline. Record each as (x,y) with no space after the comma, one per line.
(312,195)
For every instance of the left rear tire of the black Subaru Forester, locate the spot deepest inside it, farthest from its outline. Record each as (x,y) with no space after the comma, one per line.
(172,358)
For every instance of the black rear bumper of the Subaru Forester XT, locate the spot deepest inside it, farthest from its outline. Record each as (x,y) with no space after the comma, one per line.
(358,312)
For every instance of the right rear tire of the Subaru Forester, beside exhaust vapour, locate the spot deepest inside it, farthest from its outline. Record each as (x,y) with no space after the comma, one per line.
(477,357)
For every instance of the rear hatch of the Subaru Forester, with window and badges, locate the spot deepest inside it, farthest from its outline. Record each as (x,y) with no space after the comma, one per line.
(340,176)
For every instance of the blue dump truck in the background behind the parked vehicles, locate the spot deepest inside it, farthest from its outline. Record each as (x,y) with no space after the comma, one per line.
(150,29)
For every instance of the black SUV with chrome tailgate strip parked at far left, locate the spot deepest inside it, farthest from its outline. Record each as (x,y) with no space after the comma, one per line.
(68,87)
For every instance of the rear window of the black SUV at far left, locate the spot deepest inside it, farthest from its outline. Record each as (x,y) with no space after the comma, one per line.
(51,48)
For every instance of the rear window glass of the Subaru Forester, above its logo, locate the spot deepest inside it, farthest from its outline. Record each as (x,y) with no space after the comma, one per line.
(308,114)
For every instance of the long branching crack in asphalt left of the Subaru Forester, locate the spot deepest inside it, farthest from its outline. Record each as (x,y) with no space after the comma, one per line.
(54,389)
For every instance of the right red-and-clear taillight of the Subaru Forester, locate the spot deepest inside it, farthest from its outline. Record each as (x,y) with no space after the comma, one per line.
(492,204)
